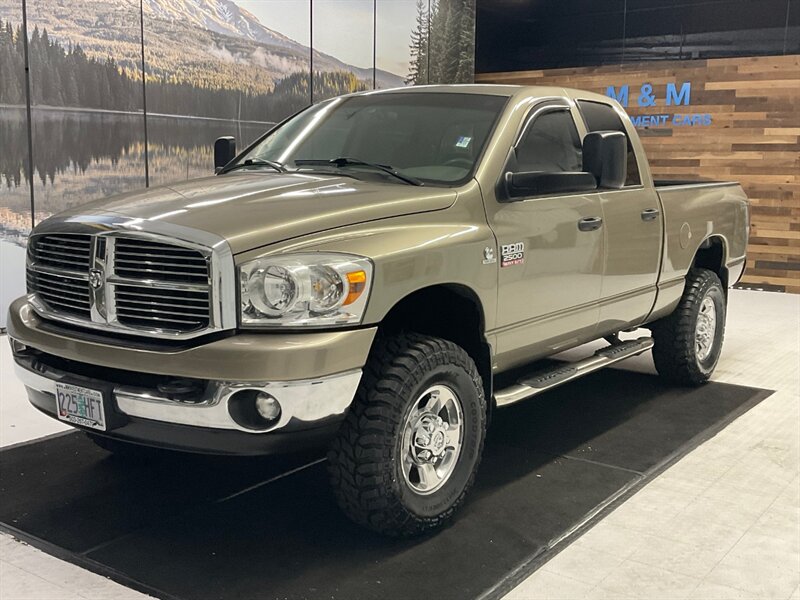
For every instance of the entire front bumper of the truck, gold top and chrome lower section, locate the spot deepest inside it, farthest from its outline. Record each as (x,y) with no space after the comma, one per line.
(312,405)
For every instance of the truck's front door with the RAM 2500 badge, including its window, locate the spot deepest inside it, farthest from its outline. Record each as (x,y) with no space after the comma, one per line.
(549,269)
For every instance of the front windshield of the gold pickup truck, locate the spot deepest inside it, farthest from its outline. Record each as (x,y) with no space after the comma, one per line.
(425,137)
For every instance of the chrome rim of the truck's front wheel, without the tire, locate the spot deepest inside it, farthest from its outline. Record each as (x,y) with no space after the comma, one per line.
(433,432)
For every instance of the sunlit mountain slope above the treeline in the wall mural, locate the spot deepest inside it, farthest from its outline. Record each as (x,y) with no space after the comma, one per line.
(211,44)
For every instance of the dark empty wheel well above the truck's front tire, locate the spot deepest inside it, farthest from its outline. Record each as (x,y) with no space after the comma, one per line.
(451,312)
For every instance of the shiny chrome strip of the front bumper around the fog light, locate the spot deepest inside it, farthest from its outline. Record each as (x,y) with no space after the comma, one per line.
(305,404)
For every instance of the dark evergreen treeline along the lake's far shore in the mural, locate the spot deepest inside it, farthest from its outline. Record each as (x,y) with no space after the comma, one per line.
(67,77)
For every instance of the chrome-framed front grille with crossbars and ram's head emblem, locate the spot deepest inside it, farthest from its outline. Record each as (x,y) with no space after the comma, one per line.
(138,284)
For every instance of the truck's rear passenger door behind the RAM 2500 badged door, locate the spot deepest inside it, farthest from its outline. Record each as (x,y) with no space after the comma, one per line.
(633,229)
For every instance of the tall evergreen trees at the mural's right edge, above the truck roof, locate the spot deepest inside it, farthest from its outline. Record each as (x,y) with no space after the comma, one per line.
(443,42)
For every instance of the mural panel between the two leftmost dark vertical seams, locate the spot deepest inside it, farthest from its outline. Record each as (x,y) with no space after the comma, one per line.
(88,129)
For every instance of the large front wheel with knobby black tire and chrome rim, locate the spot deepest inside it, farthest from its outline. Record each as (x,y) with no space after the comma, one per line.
(408,451)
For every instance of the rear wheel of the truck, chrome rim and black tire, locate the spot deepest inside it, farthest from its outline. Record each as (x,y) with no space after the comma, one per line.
(689,341)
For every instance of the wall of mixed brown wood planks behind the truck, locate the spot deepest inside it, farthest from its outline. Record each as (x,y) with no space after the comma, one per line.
(754,138)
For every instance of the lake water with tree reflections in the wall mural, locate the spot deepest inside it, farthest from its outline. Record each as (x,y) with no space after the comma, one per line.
(84,155)
